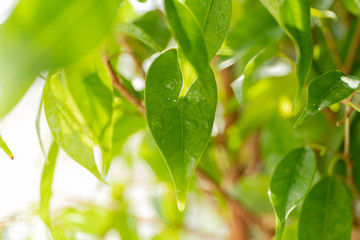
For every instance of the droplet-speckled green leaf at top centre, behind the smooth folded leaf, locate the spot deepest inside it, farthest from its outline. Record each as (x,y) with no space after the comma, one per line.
(214,17)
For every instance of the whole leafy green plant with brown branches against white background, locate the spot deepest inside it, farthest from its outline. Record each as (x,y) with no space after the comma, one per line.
(293,132)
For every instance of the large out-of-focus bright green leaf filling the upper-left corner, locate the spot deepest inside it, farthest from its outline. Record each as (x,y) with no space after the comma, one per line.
(43,34)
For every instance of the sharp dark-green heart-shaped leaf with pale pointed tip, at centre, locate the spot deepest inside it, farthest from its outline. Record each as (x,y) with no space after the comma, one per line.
(180,125)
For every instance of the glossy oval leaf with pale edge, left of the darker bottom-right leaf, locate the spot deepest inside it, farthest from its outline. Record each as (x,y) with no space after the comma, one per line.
(291,180)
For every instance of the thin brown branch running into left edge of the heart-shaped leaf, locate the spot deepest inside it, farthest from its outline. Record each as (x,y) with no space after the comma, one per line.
(121,88)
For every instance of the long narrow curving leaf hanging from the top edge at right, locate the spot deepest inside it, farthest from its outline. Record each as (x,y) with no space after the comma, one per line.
(296,17)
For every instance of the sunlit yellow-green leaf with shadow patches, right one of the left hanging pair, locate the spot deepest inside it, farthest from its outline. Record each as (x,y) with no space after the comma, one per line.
(91,89)
